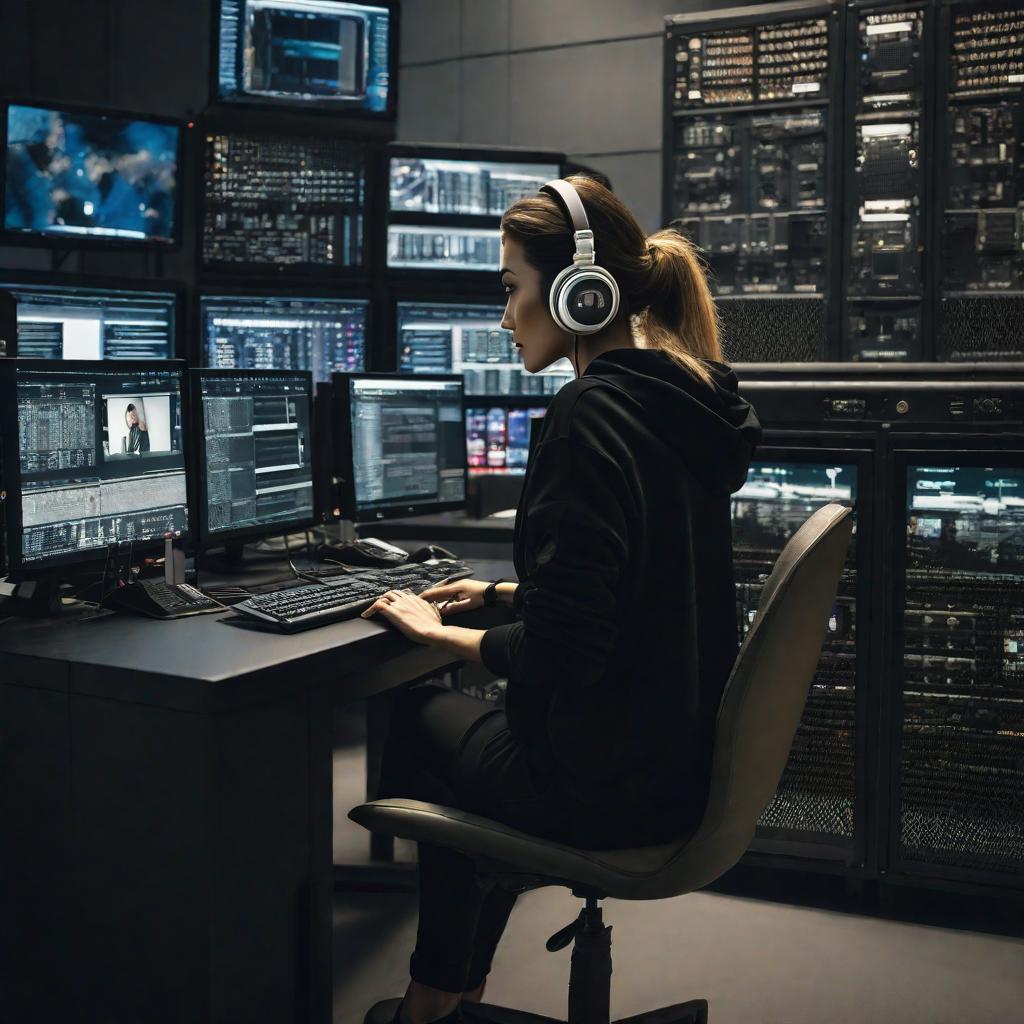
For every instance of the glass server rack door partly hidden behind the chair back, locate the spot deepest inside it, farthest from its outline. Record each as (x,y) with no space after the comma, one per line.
(819,809)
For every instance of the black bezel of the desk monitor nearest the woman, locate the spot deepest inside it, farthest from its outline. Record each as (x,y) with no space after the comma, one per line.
(344,463)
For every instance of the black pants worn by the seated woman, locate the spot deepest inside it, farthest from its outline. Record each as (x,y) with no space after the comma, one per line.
(450,749)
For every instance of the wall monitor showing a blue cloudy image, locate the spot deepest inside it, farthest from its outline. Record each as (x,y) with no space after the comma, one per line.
(76,177)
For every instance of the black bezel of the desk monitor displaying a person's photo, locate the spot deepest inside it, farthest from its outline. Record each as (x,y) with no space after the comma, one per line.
(13,462)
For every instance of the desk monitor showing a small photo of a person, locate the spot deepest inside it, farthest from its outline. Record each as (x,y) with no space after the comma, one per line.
(95,455)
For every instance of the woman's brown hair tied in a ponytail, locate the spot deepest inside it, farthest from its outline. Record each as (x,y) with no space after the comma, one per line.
(662,280)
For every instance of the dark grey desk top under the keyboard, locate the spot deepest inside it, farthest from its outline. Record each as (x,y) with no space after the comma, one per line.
(203,664)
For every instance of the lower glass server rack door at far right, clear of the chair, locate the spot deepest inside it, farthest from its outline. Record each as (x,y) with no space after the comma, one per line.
(956,708)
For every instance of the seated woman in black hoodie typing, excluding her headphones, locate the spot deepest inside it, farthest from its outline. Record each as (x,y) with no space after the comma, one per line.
(626,606)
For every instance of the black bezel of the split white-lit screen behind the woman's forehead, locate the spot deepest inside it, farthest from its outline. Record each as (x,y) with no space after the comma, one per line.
(447,151)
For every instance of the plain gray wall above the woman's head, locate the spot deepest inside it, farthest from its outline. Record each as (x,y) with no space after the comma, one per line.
(583,77)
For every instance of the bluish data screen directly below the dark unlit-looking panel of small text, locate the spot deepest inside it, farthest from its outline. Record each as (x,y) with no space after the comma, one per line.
(285,332)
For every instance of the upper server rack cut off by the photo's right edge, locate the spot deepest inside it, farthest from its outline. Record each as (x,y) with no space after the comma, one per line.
(979,263)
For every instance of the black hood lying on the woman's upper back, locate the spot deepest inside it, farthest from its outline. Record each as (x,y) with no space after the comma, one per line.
(711,430)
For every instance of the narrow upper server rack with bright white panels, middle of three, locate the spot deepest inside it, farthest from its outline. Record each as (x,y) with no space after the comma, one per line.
(887,218)
